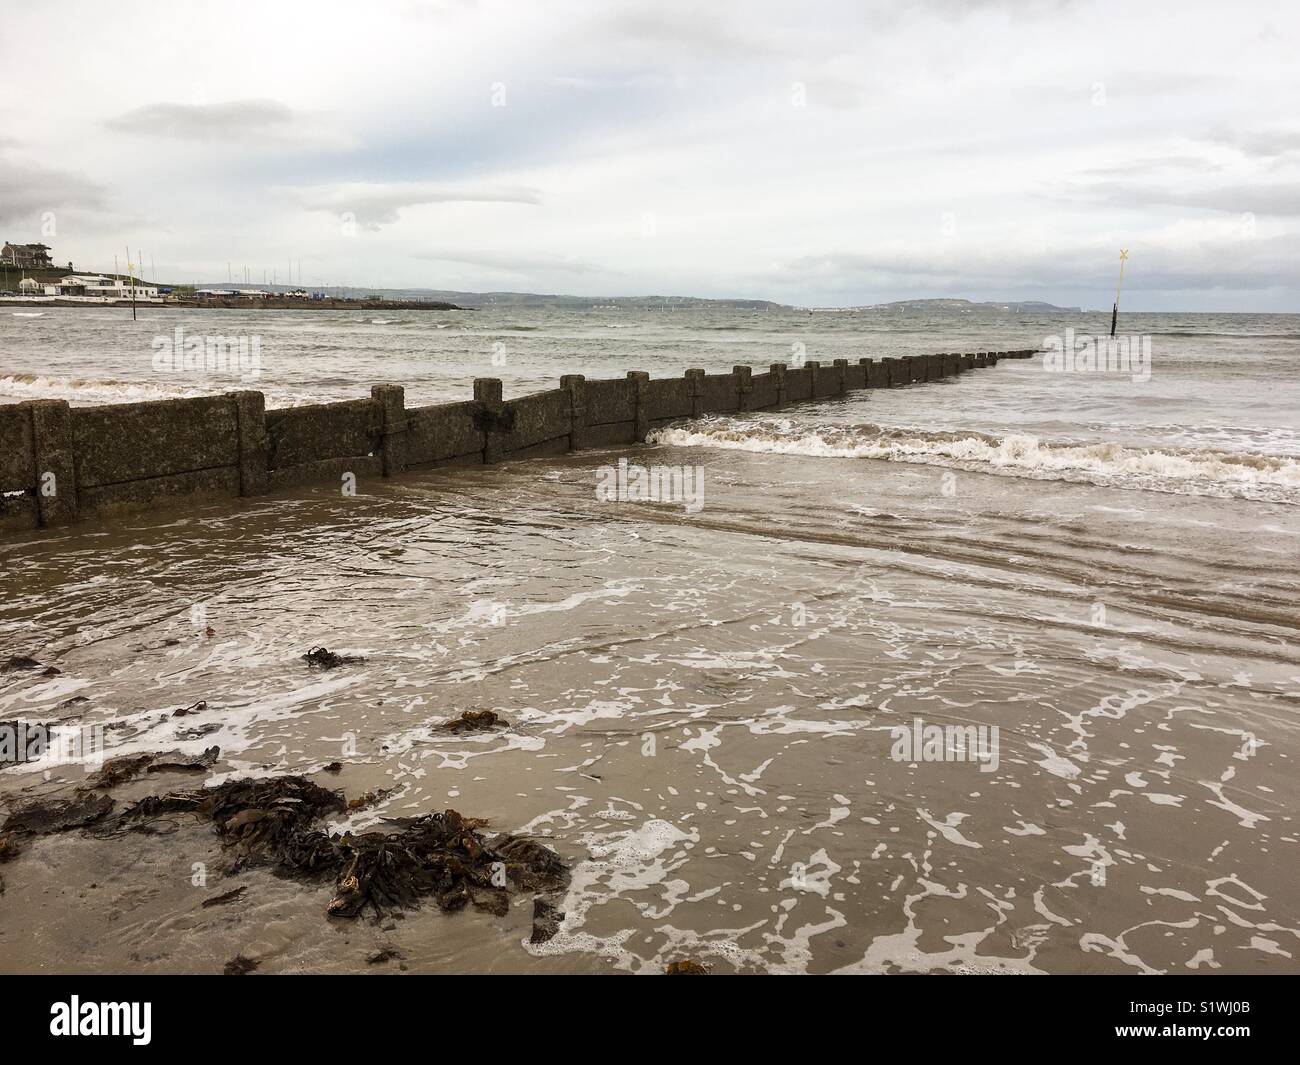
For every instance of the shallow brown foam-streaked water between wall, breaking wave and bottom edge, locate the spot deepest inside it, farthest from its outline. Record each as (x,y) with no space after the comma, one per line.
(703,712)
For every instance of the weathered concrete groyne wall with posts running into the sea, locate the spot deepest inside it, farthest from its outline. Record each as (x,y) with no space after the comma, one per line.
(59,464)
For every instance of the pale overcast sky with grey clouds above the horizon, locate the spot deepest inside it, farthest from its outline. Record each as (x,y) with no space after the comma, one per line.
(816,154)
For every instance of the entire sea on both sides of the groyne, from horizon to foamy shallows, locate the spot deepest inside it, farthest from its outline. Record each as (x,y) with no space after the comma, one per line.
(994,674)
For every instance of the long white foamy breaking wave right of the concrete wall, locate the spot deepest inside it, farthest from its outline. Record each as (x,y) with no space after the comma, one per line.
(1184,471)
